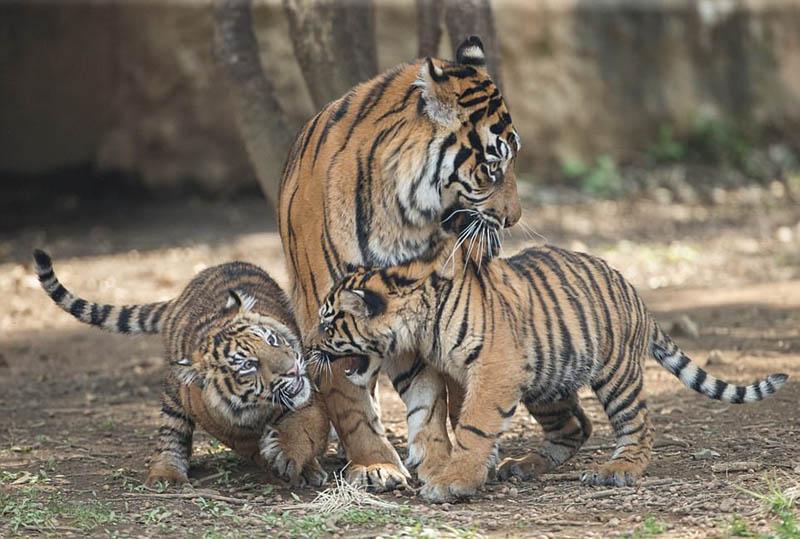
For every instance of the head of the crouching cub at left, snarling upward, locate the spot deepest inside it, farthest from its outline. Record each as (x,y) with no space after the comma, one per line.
(249,362)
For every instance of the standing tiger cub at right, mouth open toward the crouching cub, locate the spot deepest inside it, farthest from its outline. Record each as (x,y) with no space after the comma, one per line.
(534,327)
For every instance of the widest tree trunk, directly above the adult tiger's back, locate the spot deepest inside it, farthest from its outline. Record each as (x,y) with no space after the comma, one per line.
(334,43)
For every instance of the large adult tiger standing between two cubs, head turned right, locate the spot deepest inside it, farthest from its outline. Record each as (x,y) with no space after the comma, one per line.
(373,180)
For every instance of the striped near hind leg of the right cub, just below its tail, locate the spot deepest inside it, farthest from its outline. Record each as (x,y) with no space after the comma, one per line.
(621,397)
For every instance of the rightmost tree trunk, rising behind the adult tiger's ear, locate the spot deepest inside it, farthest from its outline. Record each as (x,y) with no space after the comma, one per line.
(467,17)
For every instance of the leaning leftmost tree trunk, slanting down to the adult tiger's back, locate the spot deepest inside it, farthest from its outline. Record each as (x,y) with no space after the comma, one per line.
(262,121)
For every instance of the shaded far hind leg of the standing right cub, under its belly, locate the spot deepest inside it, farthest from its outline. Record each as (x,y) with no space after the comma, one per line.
(565,427)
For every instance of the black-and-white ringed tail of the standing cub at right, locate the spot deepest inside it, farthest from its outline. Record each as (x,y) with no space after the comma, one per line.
(672,358)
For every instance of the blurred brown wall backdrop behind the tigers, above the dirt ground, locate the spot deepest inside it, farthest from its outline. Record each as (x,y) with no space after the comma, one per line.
(611,97)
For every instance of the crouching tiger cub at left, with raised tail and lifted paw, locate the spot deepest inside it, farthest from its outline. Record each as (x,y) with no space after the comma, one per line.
(236,369)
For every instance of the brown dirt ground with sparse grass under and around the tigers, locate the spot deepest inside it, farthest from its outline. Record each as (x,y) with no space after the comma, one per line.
(79,408)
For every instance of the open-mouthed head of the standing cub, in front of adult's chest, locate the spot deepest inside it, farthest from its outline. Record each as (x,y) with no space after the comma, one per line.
(369,314)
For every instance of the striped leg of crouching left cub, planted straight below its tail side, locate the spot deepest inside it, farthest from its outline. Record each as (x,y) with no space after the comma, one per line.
(171,462)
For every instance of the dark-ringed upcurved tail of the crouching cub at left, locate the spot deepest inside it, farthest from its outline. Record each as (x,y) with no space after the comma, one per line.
(130,319)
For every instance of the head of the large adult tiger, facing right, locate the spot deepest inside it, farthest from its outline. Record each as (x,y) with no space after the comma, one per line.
(475,176)
